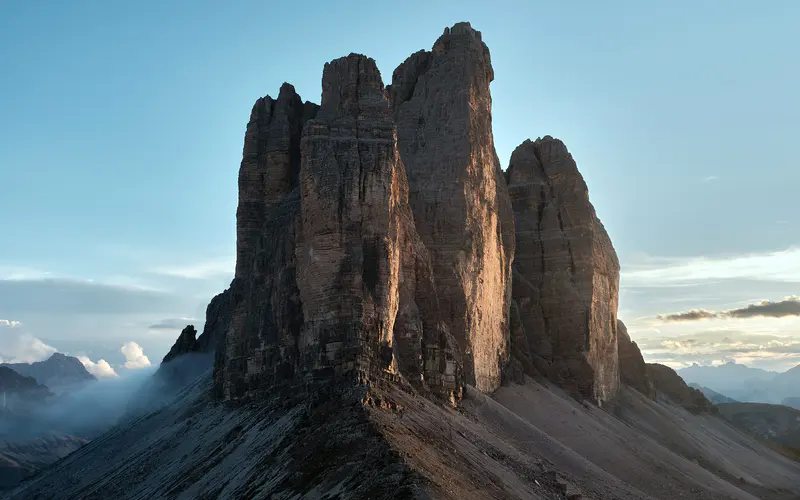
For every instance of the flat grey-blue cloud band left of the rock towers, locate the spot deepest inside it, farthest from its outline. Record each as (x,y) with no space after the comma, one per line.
(69,296)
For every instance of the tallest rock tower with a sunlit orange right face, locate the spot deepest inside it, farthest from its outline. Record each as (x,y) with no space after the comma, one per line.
(442,106)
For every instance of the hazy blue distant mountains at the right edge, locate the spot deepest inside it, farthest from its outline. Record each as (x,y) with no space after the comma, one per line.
(743,383)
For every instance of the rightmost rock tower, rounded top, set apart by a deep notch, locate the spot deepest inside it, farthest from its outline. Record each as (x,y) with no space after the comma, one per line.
(566,272)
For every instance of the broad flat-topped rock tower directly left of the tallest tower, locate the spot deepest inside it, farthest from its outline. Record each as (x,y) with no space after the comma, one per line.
(369,304)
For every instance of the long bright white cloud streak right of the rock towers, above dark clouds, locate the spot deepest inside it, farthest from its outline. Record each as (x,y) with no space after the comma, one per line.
(780,266)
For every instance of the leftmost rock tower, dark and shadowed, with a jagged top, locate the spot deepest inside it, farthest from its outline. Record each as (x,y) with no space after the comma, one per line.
(260,347)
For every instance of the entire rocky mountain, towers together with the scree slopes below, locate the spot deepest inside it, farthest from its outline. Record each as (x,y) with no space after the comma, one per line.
(405,321)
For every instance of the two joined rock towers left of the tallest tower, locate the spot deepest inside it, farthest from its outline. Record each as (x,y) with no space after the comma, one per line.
(340,285)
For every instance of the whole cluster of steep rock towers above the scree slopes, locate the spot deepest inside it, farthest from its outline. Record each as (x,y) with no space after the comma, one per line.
(379,241)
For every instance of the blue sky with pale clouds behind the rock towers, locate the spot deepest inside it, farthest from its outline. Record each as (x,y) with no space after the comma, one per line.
(121,128)
